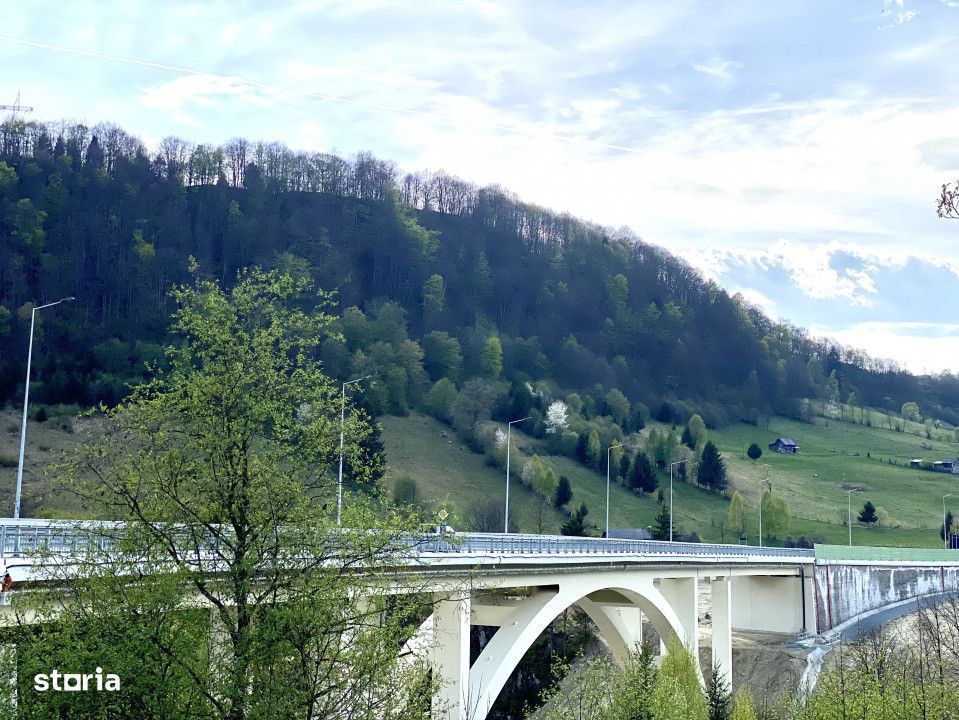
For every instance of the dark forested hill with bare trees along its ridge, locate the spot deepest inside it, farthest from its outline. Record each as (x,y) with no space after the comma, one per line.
(90,212)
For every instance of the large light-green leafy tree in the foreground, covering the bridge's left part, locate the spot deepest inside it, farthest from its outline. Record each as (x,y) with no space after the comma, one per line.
(227,453)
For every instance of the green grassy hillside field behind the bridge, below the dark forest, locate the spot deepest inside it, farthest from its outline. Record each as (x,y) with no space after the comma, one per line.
(833,456)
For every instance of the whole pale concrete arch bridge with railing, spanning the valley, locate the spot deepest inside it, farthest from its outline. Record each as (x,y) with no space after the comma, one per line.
(519,583)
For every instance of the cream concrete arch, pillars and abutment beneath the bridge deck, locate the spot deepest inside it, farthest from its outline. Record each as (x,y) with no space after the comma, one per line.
(617,601)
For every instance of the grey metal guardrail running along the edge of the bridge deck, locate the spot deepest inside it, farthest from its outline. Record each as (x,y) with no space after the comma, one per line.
(73,537)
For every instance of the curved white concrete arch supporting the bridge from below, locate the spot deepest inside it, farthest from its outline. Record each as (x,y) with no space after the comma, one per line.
(509,644)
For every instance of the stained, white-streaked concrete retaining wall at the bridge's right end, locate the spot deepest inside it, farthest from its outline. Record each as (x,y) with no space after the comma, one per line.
(844,591)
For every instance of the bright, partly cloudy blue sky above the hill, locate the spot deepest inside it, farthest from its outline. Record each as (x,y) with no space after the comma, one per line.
(792,152)
